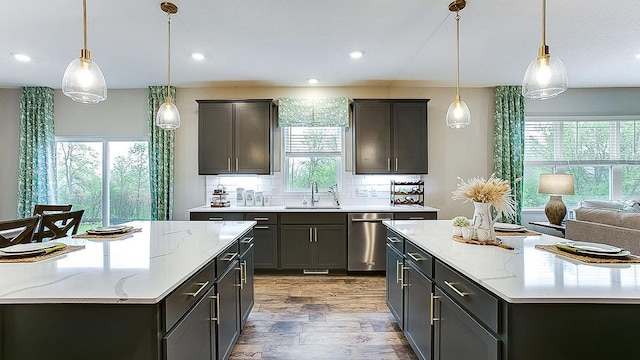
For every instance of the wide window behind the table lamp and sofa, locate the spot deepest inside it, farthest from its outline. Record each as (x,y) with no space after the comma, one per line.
(602,152)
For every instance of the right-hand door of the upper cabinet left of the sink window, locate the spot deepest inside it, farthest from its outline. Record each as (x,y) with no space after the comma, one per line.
(252,147)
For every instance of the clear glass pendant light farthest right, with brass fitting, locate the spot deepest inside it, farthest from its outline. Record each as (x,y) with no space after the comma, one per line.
(546,76)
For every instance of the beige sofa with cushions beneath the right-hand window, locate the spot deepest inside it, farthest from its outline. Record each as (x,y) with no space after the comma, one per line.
(615,223)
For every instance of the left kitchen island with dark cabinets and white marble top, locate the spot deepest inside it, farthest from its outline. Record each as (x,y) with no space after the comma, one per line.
(152,294)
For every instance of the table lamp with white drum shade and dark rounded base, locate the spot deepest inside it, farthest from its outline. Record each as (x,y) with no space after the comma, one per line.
(556,185)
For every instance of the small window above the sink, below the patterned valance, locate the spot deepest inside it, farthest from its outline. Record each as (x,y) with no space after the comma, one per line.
(311,153)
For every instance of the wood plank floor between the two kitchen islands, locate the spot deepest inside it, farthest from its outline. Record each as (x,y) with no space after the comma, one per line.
(321,317)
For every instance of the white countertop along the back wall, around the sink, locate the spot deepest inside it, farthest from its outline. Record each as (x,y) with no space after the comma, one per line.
(343,208)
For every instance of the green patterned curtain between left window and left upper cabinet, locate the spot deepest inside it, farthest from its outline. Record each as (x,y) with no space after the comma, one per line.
(161,146)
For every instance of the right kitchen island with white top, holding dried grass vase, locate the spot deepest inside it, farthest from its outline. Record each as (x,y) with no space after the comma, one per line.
(486,302)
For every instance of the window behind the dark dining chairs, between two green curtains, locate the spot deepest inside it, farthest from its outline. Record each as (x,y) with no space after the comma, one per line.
(108,178)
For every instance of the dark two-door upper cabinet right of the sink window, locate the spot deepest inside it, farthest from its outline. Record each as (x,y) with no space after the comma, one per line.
(390,136)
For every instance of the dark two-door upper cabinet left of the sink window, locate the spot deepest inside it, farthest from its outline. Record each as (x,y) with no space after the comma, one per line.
(234,137)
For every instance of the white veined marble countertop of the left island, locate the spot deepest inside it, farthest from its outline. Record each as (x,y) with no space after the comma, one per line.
(142,267)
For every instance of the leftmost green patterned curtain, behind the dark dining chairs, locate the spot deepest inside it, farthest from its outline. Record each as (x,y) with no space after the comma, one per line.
(37,167)
